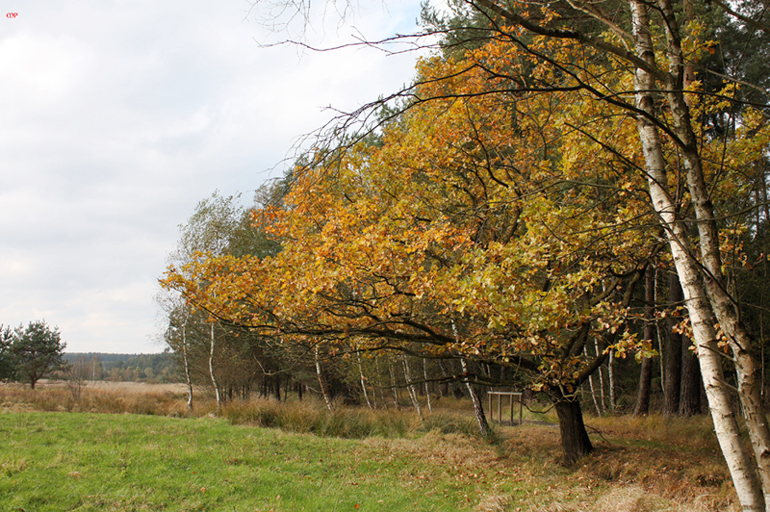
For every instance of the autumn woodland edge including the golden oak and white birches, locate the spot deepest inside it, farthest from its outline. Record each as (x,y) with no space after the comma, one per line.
(563,185)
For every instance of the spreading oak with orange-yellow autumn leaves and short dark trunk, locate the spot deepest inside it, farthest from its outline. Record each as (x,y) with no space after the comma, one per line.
(469,232)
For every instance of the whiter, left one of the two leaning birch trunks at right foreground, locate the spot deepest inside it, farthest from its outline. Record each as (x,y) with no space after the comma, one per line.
(725,424)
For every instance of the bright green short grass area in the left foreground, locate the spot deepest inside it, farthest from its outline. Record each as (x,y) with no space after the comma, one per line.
(84,462)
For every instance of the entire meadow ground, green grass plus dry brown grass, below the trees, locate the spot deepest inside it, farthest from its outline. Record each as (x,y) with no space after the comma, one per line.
(137,448)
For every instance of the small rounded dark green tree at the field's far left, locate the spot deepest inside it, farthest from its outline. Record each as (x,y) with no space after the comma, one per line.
(37,350)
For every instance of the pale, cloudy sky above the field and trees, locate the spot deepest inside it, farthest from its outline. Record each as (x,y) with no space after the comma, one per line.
(118,116)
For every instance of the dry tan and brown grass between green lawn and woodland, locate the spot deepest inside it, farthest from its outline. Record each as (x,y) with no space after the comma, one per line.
(650,464)
